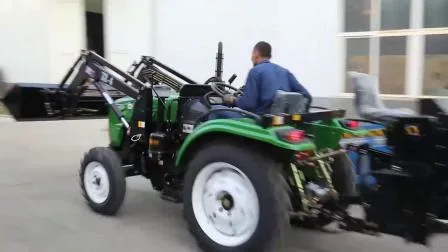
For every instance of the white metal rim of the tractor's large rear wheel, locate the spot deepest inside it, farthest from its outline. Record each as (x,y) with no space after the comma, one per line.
(225,204)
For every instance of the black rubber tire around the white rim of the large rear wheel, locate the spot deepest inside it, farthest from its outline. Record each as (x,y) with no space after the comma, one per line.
(266,178)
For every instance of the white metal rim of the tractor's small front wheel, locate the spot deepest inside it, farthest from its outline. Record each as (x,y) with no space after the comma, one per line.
(96,182)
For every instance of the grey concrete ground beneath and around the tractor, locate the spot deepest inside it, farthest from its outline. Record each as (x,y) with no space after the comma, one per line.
(41,208)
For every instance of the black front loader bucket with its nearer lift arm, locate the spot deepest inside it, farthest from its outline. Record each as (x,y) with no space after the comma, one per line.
(88,90)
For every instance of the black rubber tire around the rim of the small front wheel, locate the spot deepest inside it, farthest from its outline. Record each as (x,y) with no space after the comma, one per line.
(111,163)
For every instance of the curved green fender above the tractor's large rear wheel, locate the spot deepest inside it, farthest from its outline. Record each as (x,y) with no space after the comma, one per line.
(243,128)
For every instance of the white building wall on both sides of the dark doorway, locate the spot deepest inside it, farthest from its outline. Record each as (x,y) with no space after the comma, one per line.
(45,36)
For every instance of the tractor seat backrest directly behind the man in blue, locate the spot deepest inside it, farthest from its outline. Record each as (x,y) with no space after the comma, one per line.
(289,103)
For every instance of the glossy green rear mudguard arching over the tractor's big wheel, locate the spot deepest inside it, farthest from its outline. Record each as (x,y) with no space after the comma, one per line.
(239,130)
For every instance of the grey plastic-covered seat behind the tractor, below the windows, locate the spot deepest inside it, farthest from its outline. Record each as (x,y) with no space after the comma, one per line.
(368,103)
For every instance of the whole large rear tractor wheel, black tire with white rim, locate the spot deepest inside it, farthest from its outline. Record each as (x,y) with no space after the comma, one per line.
(235,199)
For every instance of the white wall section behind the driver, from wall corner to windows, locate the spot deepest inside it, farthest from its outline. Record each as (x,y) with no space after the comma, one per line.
(303,35)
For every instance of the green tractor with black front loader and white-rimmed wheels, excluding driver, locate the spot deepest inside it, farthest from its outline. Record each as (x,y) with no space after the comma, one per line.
(241,181)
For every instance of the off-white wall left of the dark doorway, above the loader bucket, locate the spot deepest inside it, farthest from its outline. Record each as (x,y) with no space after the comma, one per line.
(40,38)
